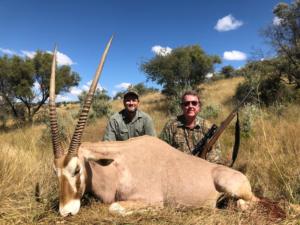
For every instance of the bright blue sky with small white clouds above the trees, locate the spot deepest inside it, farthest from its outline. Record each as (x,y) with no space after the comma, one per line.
(142,28)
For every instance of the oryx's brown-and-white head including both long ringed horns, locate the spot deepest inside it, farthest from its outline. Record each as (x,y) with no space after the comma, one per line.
(69,167)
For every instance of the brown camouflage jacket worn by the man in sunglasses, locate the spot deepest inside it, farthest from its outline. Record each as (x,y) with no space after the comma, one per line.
(185,139)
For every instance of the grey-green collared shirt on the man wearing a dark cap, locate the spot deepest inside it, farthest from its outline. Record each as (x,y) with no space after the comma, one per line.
(119,130)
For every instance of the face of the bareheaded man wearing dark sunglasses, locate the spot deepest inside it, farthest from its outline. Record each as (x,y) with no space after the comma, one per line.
(190,106)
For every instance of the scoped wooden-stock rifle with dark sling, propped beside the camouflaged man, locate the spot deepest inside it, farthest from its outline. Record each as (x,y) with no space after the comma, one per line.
(206,143)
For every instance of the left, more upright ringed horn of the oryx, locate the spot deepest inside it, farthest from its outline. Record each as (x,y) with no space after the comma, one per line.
(57,148)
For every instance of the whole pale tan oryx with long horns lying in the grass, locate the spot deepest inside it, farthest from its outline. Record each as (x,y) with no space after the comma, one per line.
(137,173)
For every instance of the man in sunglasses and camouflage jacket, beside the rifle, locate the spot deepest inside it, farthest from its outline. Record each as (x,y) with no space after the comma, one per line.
(186,130)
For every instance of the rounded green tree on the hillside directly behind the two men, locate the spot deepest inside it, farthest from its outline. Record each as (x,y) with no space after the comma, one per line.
(184,68)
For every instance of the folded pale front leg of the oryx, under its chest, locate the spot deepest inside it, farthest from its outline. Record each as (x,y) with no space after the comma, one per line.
(129,207)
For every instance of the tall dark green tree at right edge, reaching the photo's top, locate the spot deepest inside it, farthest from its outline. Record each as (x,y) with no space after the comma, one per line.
(277,80)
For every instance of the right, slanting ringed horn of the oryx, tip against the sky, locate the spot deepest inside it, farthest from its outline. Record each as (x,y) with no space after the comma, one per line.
(76,139)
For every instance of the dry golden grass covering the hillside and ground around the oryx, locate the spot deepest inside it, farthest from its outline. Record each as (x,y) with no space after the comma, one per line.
(269,155)
